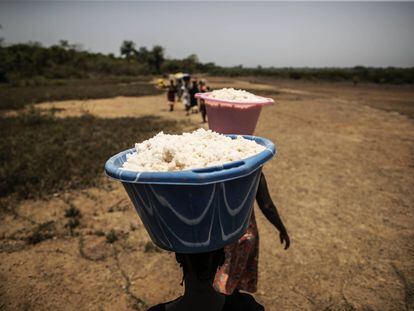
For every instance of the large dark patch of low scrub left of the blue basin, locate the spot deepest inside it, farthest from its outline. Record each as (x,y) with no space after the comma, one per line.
(41,155)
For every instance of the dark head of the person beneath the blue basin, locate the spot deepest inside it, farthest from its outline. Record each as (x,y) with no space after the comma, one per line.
(202,266)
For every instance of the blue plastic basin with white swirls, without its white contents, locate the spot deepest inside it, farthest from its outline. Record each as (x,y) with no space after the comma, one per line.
(196,210)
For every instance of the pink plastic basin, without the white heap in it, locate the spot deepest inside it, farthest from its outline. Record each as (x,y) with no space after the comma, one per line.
(231,117)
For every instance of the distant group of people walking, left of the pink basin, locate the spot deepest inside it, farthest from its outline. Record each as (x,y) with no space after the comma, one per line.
(182,91)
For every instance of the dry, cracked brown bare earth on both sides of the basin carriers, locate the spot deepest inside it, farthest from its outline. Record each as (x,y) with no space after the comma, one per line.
(343,181)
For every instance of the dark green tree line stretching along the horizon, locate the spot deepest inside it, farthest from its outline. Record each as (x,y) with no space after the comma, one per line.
(33,62)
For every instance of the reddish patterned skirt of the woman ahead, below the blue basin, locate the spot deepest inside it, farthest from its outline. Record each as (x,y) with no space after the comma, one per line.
(240,267)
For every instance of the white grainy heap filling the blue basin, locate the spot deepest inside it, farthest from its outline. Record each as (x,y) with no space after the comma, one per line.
(201,148)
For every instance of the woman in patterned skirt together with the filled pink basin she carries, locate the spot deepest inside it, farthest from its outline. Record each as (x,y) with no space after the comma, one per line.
(236,112)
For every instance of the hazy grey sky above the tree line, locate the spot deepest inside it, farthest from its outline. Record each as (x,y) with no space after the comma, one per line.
(249,33)
